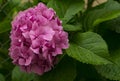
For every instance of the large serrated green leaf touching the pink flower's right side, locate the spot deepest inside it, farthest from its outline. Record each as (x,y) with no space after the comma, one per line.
(89,48)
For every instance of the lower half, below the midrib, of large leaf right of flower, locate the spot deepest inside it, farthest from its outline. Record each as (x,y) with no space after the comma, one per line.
(85,56)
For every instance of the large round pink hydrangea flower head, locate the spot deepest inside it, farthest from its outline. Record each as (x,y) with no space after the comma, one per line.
(37,38)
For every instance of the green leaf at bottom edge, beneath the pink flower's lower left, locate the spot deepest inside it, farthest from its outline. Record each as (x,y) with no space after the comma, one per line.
(18,75)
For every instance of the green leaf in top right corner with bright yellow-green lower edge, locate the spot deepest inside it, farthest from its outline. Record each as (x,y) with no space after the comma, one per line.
(101,13)
